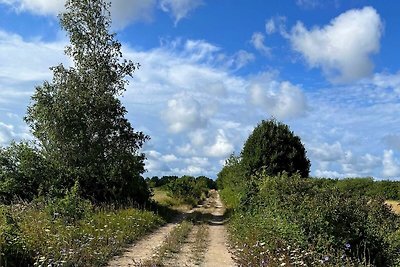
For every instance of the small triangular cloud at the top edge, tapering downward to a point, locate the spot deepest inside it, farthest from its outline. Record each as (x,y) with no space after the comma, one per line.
(179,9)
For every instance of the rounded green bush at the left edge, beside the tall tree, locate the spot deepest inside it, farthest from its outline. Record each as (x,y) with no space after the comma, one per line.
(23,172)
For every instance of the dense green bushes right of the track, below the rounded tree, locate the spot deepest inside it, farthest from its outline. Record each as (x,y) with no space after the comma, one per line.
(315,220)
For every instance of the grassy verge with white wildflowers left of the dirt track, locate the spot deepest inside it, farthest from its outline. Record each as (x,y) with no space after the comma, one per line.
(29,235)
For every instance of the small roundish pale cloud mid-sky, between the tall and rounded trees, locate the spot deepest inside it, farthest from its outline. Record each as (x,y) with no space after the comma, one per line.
(184,113)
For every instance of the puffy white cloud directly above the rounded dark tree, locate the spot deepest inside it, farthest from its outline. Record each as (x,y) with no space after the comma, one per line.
(280,99)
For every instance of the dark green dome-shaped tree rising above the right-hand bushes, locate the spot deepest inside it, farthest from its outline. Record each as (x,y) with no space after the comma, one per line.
(274,148)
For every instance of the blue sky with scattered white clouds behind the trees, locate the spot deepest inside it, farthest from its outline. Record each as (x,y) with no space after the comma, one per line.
(211,70)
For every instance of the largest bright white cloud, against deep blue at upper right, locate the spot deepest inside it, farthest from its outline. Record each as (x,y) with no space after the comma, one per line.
(343,48)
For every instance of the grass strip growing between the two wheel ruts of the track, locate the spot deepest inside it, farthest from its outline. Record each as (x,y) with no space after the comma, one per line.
(172,244)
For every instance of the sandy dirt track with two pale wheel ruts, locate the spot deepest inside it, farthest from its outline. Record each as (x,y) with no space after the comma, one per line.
(214,251)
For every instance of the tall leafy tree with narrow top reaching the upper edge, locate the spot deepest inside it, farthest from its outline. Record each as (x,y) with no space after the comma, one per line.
(78,119)
